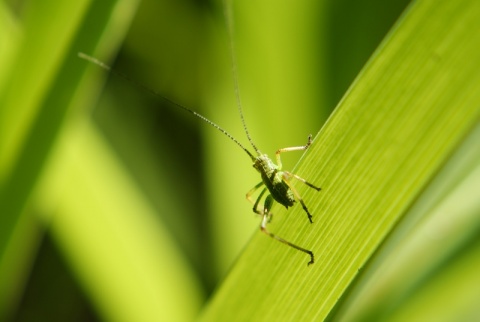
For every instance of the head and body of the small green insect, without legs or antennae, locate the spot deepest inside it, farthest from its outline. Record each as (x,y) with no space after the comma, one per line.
(272,177)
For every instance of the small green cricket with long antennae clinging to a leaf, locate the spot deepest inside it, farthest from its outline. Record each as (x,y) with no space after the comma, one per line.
(275,181)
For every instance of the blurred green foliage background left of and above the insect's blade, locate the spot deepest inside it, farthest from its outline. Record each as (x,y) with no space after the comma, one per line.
(103,187)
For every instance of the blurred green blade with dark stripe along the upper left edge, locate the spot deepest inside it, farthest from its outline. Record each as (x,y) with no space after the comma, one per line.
(43,76)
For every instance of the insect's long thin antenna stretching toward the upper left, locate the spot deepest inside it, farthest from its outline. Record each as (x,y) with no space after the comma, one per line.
(156,94)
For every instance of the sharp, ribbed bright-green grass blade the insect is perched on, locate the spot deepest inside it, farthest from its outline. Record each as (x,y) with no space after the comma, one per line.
(409,109)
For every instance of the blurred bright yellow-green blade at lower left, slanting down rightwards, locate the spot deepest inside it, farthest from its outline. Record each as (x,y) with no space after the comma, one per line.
(125,260)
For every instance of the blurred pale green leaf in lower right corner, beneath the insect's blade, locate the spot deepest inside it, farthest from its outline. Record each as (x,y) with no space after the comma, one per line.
(438,234)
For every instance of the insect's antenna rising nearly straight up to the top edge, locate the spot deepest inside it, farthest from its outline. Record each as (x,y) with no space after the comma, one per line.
(229,21)
